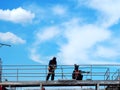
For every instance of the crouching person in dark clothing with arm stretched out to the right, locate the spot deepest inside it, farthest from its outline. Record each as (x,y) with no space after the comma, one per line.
(77,74)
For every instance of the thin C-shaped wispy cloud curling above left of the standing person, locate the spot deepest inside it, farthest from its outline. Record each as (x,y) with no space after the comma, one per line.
(46,35)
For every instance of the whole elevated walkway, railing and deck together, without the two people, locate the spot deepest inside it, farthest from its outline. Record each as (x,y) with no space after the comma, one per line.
(35,75)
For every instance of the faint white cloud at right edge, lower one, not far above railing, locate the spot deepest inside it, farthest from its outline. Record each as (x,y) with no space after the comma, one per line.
(110,50)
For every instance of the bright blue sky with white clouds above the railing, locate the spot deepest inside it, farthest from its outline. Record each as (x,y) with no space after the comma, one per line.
(75,31)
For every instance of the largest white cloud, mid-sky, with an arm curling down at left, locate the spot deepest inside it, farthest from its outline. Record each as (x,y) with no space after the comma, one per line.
(79,39)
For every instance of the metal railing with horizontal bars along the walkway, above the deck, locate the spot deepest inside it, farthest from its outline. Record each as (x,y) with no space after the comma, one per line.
(39,72)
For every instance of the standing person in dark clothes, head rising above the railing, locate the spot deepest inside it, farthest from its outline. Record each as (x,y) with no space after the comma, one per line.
(51,68)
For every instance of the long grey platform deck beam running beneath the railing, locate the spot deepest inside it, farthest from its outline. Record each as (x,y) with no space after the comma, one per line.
(61,83)
